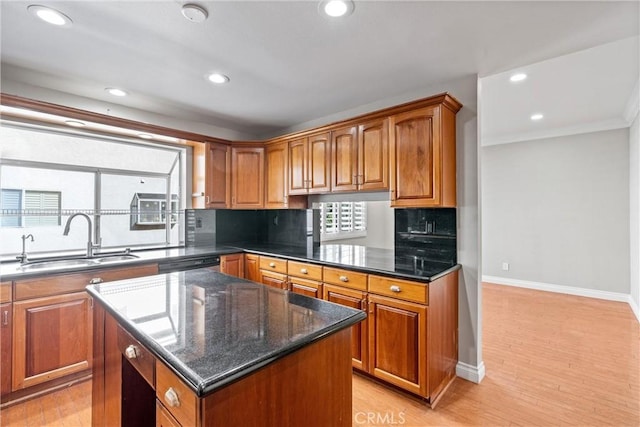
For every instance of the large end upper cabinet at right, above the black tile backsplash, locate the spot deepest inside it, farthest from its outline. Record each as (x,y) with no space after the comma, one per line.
(423,156)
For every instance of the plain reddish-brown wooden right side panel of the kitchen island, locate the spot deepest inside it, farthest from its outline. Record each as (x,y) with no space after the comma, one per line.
(310,387)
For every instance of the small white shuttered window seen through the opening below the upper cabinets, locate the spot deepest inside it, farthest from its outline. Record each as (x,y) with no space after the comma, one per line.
(342,220)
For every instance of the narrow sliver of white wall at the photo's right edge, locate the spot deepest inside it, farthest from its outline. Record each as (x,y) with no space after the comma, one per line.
(634,215)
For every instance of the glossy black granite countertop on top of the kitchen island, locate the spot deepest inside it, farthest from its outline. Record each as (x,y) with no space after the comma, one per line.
(211,328)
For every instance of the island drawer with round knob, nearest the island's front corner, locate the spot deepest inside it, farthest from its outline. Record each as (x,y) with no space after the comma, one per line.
(181,402)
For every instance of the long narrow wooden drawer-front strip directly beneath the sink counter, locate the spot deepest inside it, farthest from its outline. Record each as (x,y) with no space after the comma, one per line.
(67,283)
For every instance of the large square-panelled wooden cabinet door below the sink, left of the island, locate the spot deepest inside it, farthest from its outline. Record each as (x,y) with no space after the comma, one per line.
(52,338)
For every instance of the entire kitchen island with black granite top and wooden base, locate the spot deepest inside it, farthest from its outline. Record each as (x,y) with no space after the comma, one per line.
(203,348)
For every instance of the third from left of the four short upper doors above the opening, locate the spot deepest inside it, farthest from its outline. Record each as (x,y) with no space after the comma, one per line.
(344,159)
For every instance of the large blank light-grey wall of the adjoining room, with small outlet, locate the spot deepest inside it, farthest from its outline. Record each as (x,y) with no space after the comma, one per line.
(557,210)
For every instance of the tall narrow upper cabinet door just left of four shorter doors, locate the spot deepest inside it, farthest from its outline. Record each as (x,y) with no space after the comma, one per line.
(277,159)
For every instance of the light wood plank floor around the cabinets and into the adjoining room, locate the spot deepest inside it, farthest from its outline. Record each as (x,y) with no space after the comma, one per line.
(551,359)
